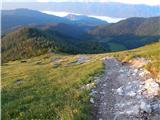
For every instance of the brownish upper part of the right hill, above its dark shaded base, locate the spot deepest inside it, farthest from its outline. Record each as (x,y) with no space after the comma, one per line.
(132,26)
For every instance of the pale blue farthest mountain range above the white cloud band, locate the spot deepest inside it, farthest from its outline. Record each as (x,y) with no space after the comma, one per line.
(110,9)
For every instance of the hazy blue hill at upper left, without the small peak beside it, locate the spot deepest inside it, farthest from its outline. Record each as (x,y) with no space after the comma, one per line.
(19,17)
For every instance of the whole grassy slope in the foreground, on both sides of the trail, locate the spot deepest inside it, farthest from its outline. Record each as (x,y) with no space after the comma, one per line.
(55,93)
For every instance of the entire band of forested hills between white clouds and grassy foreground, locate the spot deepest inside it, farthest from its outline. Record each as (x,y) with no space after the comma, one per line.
(66,35)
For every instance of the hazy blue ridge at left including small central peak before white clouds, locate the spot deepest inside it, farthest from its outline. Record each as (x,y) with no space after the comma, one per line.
(19,17)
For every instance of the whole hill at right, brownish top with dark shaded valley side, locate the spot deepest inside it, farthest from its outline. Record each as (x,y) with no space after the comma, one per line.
(130,33)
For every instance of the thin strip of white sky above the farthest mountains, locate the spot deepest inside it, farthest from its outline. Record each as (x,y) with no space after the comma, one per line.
(148,2)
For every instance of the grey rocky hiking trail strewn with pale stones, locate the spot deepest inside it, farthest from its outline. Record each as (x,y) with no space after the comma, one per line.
(125,92)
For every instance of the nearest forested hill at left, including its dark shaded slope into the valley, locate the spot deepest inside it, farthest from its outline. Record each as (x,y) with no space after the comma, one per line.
(26,42)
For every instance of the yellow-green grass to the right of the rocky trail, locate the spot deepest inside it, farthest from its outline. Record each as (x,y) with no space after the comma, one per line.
(150,52)
